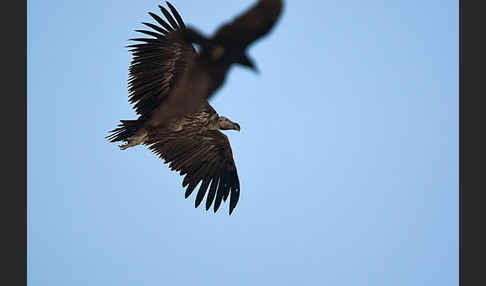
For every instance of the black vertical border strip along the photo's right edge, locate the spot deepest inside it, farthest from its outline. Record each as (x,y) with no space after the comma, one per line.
(471,143)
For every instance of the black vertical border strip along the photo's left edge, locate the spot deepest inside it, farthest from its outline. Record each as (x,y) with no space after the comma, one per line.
(14,143)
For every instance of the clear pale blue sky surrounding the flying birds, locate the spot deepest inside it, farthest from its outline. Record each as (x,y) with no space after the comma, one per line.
(347,156)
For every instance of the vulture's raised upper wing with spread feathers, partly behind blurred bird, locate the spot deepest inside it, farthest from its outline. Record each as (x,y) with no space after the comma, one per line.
(158,61)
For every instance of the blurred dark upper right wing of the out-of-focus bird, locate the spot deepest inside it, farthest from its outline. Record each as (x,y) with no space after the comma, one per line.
(252,25)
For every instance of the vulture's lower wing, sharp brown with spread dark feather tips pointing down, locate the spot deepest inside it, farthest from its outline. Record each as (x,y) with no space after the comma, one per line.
(201,156)
